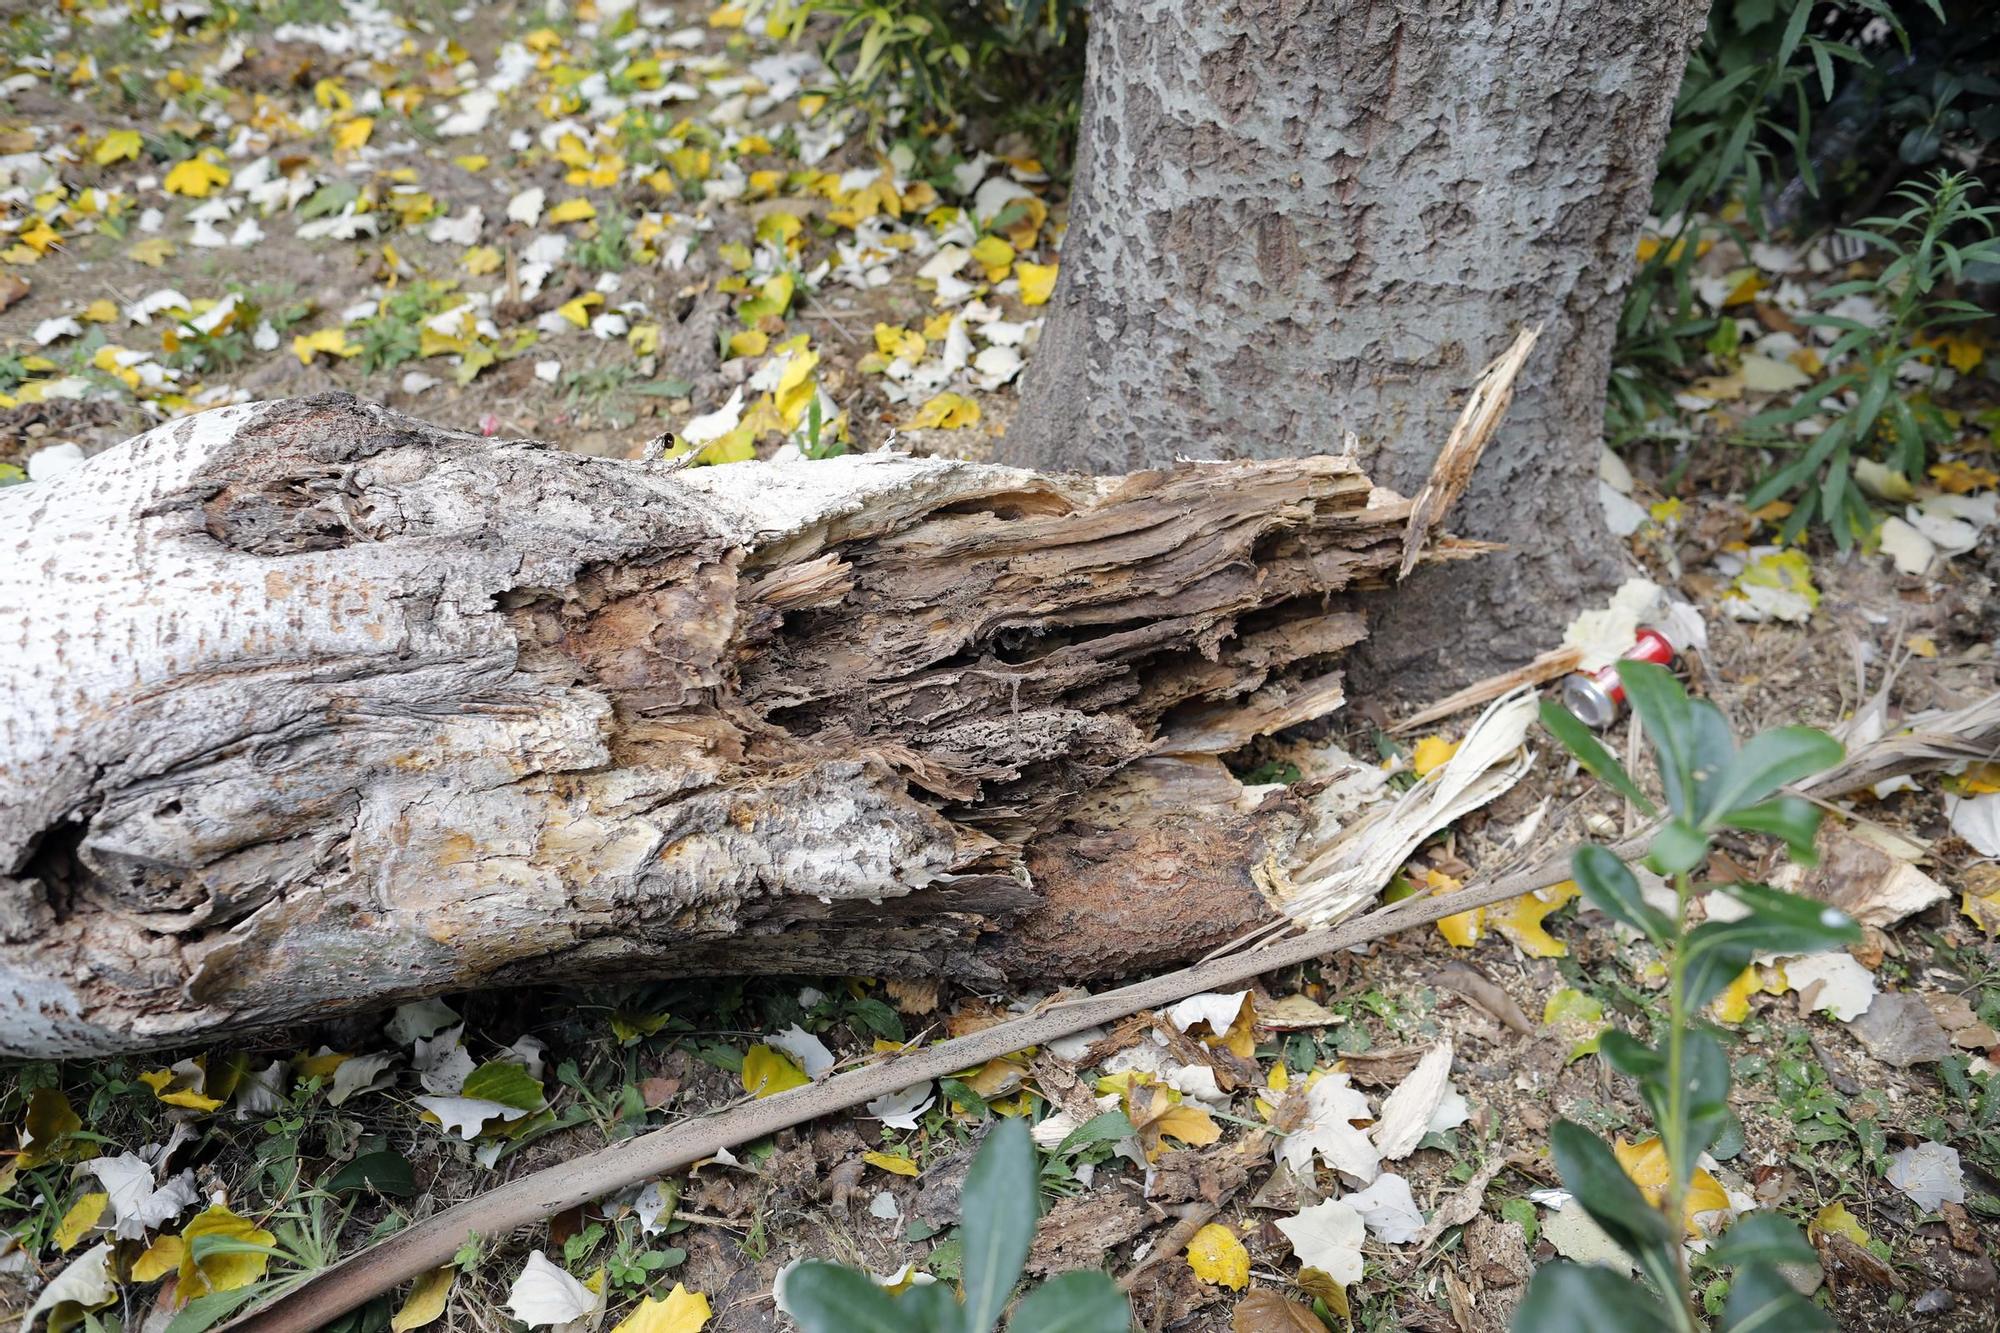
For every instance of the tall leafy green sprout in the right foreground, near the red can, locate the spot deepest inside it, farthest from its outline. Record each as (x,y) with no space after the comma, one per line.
(1685,1078)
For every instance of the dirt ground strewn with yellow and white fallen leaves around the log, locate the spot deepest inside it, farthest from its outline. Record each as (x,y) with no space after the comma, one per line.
(699,197)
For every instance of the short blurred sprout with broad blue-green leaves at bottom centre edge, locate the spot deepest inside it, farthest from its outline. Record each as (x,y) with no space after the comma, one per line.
(1001,1208)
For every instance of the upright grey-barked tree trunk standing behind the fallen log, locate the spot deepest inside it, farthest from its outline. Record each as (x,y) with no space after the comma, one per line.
(1295,217)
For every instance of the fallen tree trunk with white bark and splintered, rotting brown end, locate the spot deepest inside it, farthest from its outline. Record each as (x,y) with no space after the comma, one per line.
(311,708)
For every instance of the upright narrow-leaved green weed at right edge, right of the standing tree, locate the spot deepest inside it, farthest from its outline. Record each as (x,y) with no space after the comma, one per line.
(1871,411)
